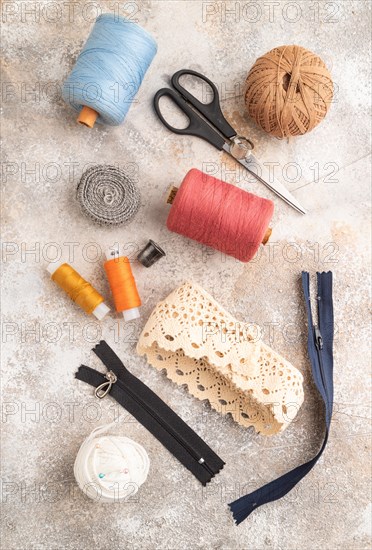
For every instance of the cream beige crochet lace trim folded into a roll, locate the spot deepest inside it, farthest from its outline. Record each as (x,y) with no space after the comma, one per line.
(201,345)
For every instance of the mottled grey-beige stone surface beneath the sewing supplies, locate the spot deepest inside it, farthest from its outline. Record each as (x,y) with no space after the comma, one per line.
(48,413)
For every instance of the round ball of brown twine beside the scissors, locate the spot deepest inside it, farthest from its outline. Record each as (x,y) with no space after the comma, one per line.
(288,91)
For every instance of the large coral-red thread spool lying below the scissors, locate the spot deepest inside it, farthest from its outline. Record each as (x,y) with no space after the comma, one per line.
(220,215)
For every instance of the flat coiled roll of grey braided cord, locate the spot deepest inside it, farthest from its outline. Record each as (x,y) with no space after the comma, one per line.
(107,195)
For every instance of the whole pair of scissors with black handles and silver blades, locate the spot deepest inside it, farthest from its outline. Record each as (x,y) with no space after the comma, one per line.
(206,121)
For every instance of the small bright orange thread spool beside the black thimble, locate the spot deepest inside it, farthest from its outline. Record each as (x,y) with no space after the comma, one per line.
(123,285)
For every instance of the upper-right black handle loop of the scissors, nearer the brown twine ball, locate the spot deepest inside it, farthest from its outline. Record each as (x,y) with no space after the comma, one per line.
(211,111)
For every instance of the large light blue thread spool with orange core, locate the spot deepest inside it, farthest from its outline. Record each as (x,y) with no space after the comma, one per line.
(109,70)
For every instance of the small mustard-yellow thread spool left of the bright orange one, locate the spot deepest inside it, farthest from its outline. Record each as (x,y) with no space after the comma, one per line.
(78,289)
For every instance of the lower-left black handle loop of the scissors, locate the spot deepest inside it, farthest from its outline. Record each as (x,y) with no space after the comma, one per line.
(197,126)
